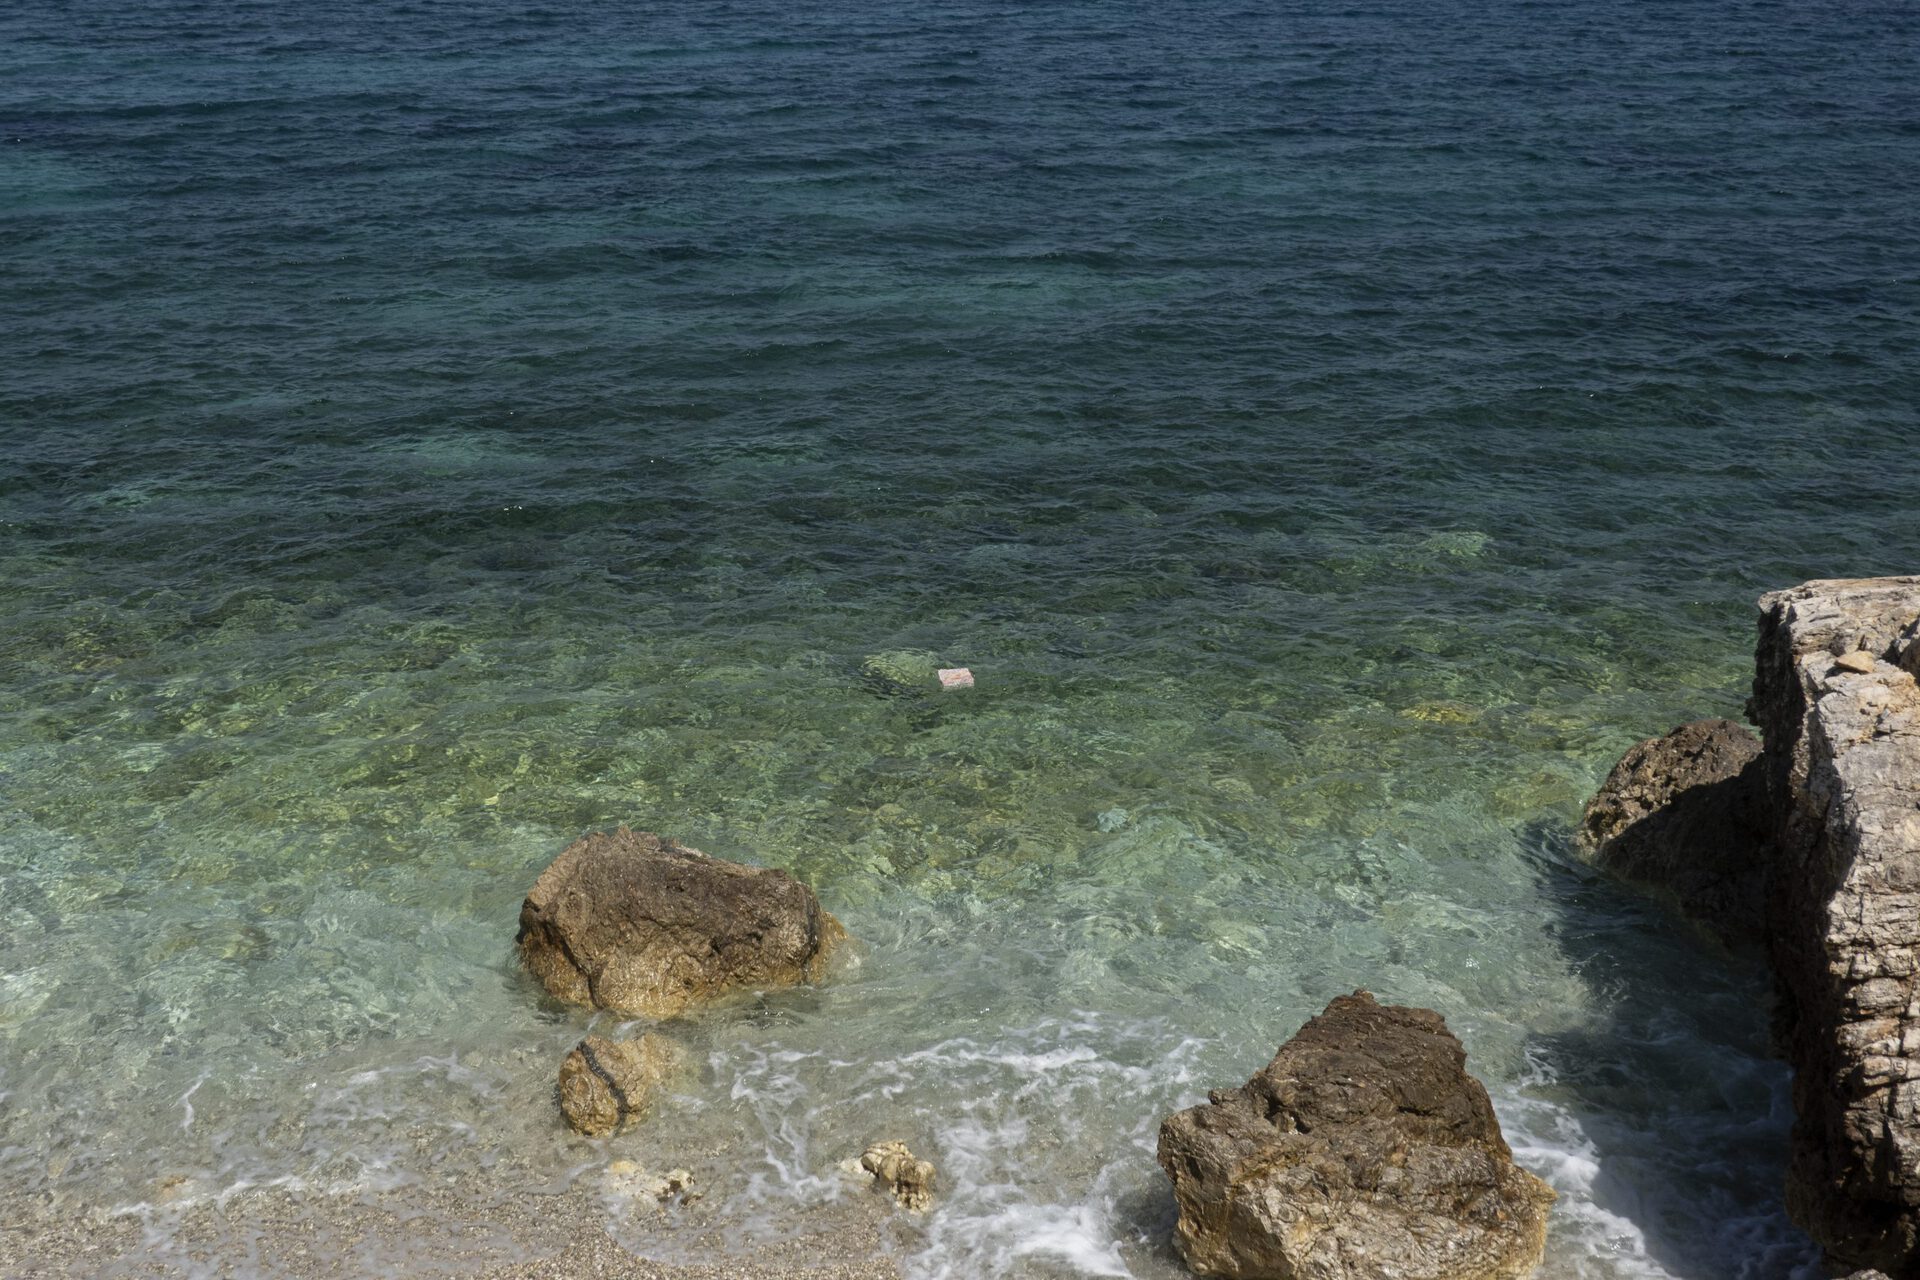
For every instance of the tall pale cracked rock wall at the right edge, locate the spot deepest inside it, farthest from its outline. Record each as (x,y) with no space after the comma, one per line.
(1835,694)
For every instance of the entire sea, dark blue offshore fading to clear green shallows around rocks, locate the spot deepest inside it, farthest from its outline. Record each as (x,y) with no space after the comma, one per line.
(1332,435)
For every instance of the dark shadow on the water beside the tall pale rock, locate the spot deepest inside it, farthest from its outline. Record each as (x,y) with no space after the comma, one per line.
(1679,1106)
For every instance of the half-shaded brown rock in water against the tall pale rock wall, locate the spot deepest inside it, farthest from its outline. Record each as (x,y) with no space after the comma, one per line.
(1689,815)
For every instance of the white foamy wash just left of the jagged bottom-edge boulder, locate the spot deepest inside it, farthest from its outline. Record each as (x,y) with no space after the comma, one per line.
(1042,1139)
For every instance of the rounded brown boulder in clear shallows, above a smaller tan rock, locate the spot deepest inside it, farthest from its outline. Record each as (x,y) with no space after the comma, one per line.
(650,928)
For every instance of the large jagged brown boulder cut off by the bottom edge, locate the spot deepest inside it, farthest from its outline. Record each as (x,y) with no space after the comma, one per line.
(1364,1150)
